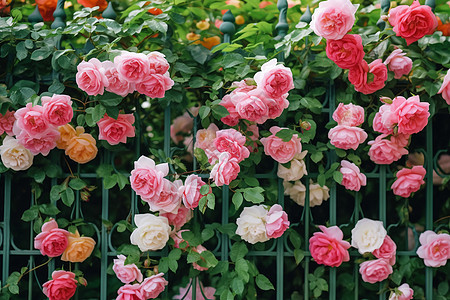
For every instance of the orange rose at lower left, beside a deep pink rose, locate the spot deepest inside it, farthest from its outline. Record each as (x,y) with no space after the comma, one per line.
(79,248)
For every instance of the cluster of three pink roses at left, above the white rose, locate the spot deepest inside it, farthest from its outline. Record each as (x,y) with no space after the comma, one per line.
(35,127)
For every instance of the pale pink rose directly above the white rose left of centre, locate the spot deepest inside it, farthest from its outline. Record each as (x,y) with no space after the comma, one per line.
(168,199)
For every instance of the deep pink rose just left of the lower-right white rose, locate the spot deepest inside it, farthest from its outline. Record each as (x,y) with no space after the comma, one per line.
(328,247)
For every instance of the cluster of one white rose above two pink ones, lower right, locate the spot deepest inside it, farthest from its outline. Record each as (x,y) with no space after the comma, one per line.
(371,236)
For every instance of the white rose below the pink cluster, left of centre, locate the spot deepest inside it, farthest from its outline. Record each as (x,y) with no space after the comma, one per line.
(152,232)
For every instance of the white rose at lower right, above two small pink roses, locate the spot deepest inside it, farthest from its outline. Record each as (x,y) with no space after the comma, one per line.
(368,235)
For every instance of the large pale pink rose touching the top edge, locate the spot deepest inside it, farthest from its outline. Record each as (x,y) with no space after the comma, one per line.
(333,19)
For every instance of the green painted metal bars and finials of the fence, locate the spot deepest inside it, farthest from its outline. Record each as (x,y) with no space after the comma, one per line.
(280,250)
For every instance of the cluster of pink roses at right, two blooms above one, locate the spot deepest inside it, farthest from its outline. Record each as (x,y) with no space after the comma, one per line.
(397,119)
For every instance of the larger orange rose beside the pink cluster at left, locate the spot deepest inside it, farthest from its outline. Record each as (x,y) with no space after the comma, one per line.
(82,148)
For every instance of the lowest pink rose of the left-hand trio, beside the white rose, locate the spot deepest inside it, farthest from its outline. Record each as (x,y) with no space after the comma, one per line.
(42,144)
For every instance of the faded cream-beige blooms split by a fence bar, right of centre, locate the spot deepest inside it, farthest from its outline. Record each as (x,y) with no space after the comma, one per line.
(297,192)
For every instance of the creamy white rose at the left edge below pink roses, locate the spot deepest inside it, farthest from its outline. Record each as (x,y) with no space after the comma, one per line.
(14,155)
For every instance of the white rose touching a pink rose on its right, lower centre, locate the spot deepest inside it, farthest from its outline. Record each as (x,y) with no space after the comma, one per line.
(251,224)
